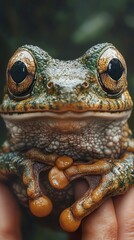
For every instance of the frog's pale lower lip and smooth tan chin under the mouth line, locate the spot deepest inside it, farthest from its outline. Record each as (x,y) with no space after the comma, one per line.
(66,122)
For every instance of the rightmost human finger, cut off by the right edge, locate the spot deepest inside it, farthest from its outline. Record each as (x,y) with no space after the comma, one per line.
(124,207)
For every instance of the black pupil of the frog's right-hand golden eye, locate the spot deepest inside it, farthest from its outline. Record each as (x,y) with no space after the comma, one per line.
(115,69)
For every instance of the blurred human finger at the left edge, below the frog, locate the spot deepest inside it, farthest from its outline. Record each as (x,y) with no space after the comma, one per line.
(9,215)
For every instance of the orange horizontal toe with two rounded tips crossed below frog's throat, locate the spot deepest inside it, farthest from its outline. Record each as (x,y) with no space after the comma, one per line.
(65,172)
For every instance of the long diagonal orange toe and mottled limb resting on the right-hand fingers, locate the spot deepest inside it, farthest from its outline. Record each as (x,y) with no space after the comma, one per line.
(112,183)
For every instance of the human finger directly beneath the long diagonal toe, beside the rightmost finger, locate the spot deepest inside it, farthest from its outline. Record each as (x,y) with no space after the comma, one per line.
(101,224)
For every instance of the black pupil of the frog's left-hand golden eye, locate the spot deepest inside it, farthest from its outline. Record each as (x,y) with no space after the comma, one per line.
(18,71)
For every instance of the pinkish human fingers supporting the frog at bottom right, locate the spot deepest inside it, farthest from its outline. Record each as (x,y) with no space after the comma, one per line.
(113,220)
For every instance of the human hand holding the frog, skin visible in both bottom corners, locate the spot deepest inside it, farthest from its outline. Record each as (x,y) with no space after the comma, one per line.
(113,220)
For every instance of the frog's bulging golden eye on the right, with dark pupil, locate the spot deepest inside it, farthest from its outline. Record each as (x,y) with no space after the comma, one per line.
(112,72)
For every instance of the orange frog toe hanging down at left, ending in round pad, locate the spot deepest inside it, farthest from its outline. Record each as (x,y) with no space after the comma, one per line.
(39,204)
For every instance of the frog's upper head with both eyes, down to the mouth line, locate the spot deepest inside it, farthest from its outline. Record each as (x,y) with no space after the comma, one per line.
(95,82)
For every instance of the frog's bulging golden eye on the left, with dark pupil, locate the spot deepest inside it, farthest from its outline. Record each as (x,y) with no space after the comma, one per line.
(21,73)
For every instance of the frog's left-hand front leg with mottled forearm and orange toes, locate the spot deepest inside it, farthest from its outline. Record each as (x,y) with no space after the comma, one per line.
(28,165)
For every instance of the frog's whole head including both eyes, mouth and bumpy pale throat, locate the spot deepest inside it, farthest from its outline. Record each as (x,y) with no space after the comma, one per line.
(69,107)
